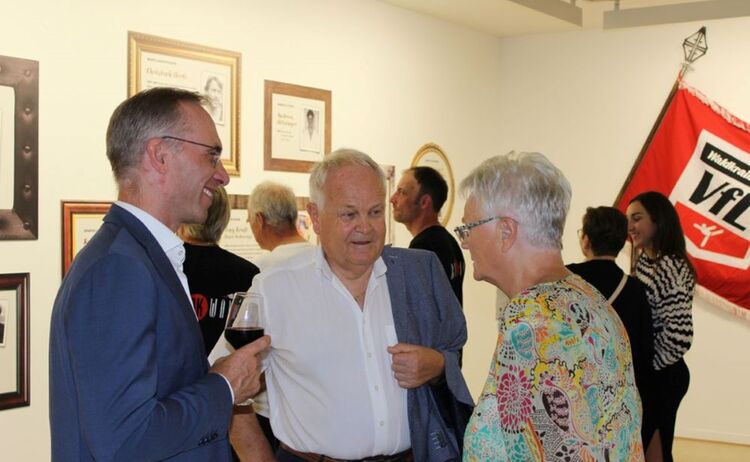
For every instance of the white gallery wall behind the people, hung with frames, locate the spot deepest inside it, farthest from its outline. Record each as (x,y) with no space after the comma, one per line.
(399,80)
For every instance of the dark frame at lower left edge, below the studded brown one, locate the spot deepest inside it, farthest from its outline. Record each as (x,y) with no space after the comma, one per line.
(14,340)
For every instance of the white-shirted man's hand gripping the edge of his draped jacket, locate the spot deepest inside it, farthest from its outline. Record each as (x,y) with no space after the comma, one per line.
(415,365)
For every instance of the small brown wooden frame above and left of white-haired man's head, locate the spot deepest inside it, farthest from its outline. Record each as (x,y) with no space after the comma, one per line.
(297,130)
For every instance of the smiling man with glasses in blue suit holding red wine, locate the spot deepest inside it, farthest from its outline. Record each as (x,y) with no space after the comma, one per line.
(128,376)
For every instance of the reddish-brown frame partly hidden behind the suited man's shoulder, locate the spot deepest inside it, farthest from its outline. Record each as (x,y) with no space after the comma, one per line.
(81,220)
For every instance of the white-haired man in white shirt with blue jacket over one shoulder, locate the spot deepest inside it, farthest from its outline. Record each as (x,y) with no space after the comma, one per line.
(364,364)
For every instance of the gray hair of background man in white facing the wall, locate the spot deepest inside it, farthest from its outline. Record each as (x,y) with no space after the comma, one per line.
(276,202)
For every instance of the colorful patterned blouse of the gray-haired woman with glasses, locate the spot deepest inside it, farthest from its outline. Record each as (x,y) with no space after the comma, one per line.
(561,385)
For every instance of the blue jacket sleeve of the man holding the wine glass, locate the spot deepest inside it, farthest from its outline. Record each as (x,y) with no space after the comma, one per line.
(113,336)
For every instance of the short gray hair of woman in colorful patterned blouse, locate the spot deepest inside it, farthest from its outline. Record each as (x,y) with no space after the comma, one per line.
(527,187)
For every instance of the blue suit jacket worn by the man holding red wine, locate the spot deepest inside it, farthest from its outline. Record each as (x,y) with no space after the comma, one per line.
(129,378)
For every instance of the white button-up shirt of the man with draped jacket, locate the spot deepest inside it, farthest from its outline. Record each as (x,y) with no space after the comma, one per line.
(328,373)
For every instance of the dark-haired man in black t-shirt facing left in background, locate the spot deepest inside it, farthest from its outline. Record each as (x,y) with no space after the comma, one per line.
(416,203)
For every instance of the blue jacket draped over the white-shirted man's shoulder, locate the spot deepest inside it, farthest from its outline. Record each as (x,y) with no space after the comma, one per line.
(426,312)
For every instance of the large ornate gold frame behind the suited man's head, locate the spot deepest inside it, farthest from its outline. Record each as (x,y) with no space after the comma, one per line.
(215,73)
